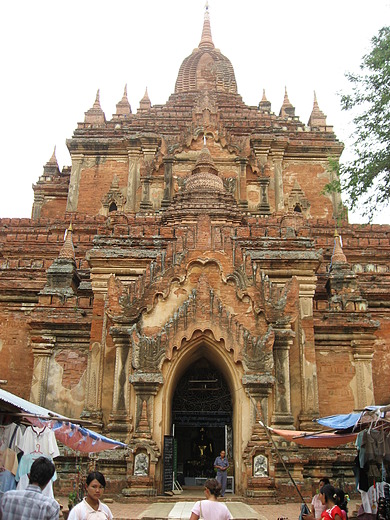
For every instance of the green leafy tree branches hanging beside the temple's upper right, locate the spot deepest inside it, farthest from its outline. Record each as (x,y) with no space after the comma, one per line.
(366,178)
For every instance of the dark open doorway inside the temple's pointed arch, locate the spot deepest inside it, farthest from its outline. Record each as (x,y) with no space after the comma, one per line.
(202,416)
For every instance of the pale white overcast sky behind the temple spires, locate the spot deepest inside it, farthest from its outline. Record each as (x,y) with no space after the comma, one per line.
(56,54)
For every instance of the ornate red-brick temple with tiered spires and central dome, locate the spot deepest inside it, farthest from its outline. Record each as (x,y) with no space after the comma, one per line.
(206,282)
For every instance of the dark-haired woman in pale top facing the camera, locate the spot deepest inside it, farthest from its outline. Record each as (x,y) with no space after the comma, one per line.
(90,506)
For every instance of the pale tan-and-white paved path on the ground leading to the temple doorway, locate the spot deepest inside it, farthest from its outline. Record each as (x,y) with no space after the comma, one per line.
(182,511)
